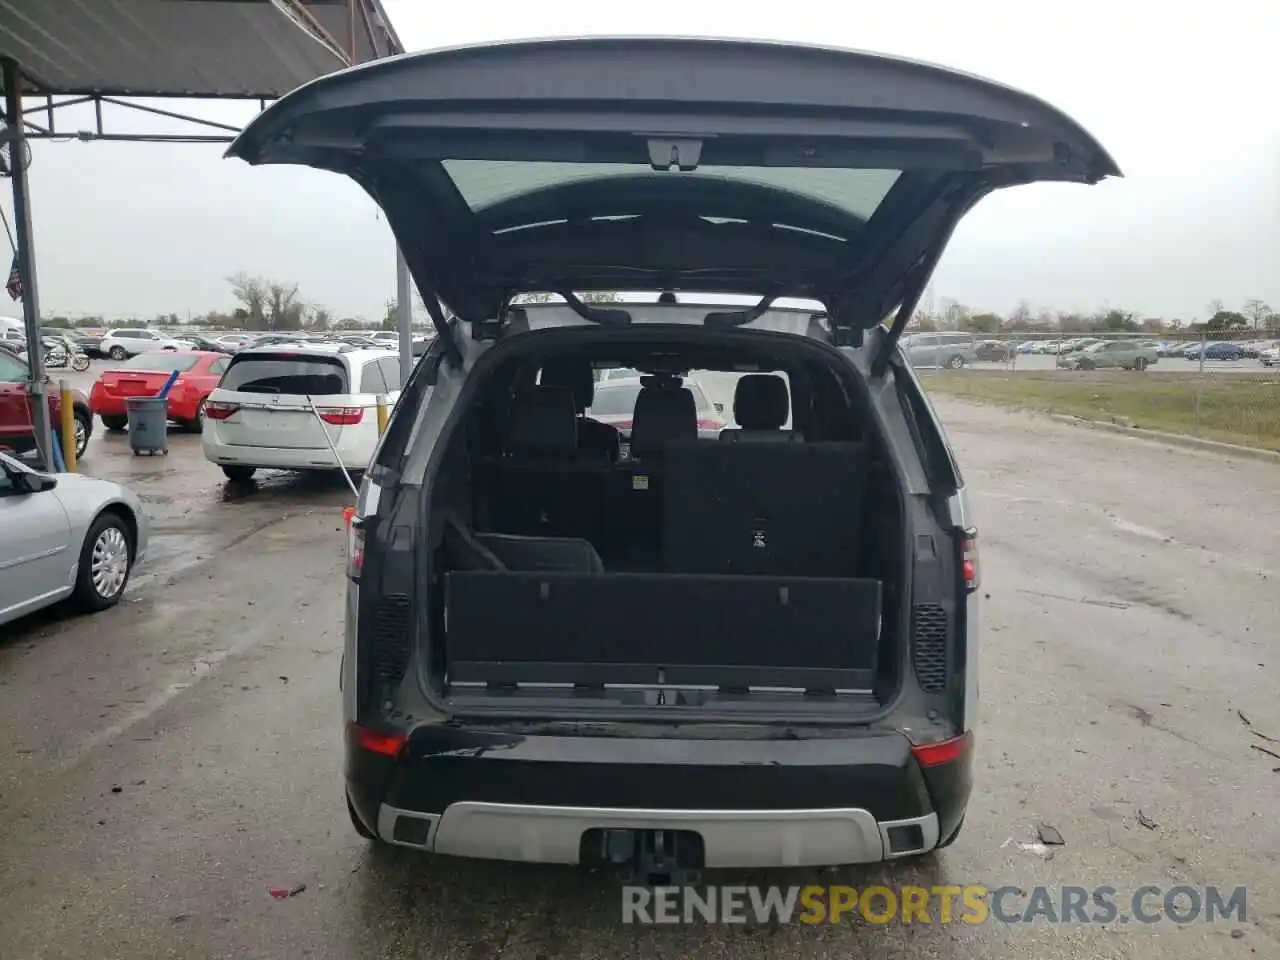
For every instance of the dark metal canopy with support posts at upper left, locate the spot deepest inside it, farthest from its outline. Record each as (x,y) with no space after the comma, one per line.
(67,53)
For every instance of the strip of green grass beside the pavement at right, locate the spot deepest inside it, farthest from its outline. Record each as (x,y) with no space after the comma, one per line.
(1233,409)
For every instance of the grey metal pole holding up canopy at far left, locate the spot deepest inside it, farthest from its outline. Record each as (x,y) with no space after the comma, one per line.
(40,419)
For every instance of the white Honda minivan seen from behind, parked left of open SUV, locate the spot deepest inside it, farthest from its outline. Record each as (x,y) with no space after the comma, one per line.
(260,415)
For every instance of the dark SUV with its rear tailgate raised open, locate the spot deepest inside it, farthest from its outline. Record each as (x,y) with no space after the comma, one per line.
(749,651)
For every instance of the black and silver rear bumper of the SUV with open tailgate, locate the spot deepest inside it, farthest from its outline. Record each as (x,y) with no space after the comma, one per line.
(779,803)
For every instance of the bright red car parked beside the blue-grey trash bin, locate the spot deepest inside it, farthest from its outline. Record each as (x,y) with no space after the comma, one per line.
(145,376)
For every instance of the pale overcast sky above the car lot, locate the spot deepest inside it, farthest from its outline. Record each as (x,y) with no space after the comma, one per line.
(1182,94)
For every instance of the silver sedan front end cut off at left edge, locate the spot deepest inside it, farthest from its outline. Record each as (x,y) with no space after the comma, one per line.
(65,536)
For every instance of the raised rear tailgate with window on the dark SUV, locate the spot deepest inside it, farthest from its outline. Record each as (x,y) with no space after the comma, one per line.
(666,163)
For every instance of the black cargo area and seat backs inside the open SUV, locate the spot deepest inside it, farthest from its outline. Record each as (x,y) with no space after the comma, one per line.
(691,573)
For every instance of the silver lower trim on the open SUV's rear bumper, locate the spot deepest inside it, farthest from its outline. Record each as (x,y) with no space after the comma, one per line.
(732,839)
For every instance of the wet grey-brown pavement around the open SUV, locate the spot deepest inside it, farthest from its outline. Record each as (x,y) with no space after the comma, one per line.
(166,765)
